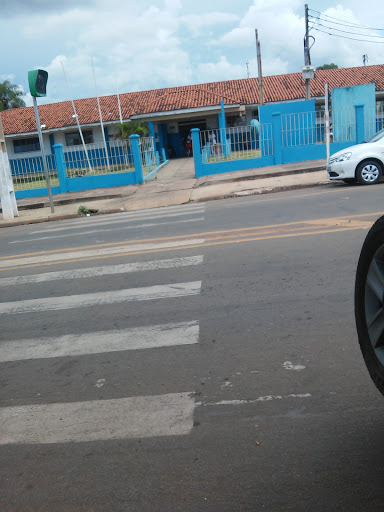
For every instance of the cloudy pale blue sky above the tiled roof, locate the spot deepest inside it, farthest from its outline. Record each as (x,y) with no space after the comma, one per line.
(149,44)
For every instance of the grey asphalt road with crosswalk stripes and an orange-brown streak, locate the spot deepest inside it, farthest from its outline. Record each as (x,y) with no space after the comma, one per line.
(195,358)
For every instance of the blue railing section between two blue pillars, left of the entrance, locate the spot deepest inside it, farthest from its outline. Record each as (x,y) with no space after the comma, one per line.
(96,160)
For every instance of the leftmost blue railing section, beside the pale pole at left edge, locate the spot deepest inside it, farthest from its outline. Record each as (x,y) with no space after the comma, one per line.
(28,173)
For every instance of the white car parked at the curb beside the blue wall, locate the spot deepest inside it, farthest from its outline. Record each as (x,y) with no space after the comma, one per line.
(363,163)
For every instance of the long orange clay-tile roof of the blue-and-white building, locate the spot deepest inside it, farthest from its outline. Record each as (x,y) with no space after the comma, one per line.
(245,92)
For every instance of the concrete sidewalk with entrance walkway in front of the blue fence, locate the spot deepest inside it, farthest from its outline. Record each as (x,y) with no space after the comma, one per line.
(175,184)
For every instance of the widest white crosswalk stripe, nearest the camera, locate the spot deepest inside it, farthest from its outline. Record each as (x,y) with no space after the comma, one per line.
(96,420)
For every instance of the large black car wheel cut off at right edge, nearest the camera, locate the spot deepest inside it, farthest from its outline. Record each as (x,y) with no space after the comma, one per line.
(369,302)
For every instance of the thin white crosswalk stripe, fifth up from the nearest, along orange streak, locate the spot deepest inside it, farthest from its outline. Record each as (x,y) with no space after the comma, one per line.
(43,258)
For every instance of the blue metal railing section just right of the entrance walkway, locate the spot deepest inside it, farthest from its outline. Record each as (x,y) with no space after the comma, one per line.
(239,143)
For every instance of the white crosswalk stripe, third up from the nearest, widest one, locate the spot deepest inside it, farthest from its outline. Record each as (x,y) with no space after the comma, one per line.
(101,298)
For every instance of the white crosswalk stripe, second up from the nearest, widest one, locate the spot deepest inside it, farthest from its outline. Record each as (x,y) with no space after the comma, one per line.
(156,336)
